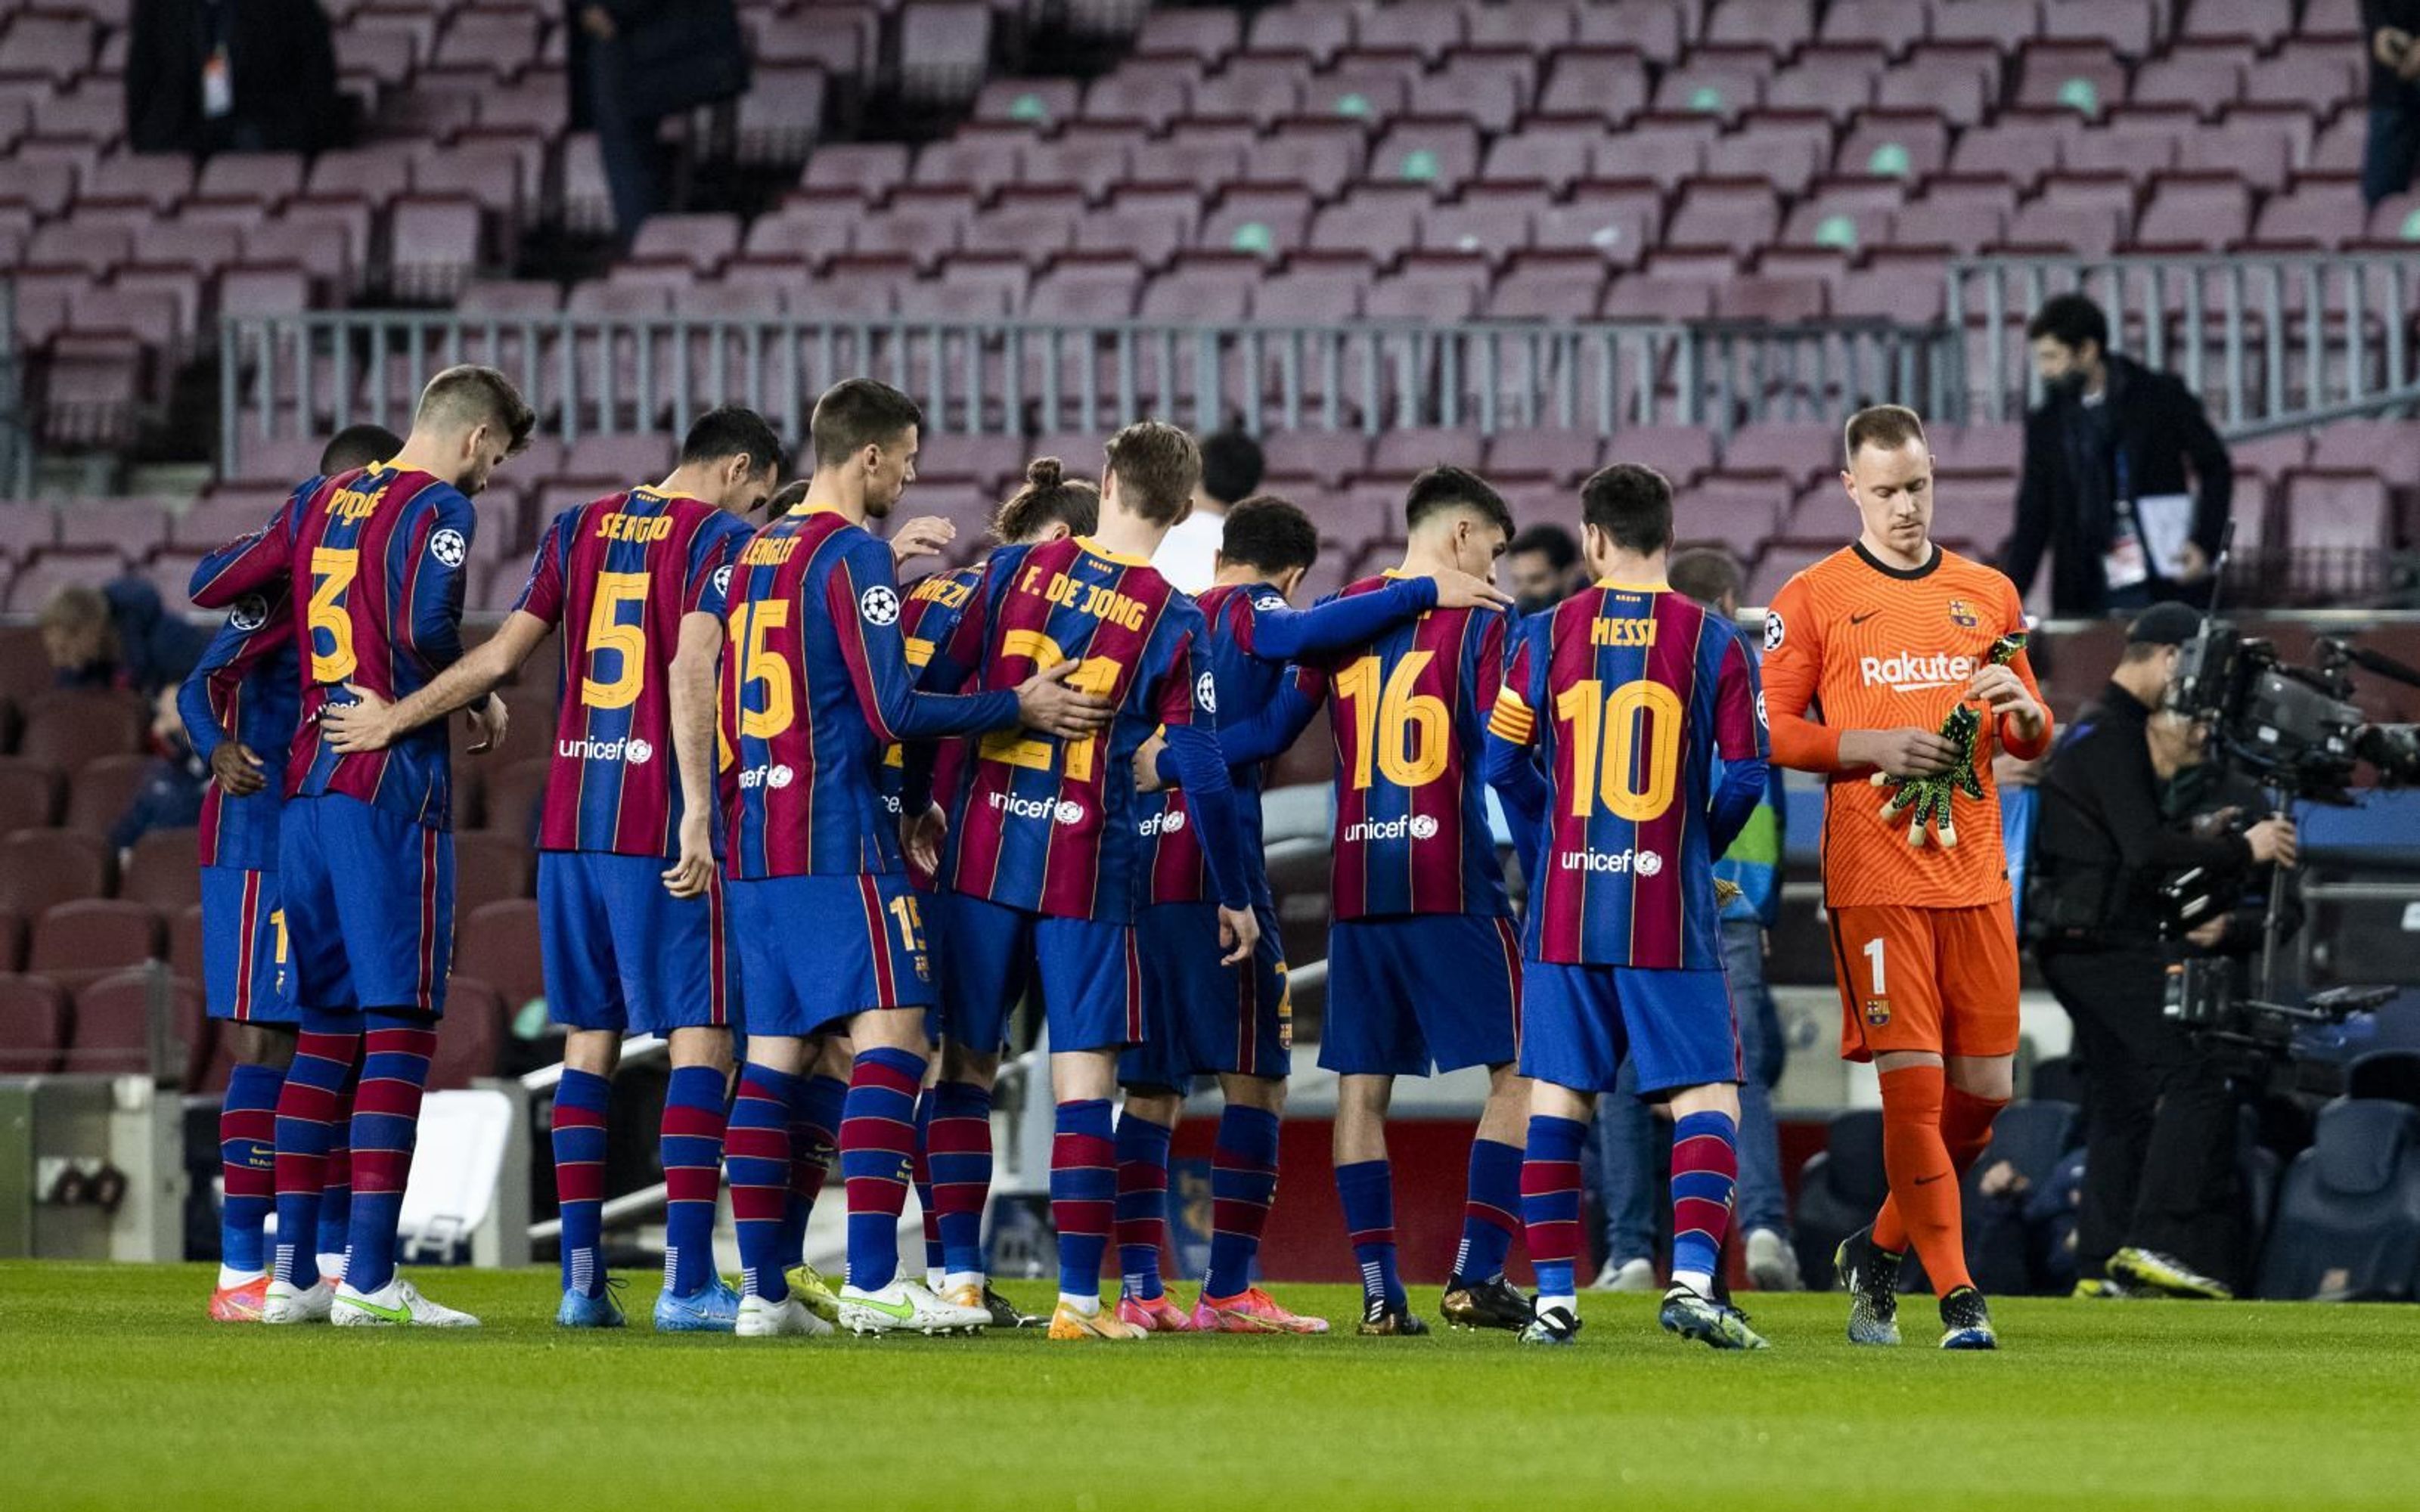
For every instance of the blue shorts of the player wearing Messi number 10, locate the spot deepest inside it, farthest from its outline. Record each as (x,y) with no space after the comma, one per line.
(1676,1027)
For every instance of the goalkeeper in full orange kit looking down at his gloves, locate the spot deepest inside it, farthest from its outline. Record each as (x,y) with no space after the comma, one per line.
(1896,669)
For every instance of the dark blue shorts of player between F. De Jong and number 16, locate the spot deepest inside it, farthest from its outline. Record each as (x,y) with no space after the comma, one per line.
(1202,1017)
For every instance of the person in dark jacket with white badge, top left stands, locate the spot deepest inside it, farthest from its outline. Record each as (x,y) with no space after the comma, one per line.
(231,76)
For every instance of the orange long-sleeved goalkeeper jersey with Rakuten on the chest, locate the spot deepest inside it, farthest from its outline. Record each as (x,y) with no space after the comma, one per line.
(1853,645)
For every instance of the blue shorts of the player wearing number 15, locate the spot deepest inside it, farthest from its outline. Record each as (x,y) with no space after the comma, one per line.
(822,950)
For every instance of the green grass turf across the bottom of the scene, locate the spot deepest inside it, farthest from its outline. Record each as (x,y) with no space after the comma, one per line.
(115,1392)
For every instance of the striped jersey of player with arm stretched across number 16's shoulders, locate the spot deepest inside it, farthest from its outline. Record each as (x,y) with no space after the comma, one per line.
(1252,635)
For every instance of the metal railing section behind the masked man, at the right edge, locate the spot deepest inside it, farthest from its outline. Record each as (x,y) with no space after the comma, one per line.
(2266,340)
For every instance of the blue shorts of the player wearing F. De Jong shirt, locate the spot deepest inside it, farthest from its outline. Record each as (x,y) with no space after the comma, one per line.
(1088,974)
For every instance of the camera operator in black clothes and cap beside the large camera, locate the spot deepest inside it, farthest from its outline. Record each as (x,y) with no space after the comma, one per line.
(2160,1206)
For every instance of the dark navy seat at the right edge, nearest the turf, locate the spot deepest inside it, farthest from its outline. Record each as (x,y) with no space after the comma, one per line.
(2349,1213)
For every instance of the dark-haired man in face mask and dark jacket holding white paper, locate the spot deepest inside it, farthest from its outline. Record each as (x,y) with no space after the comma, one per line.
(2126,485)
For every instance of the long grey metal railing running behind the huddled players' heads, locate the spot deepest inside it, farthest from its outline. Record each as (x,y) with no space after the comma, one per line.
(597,376)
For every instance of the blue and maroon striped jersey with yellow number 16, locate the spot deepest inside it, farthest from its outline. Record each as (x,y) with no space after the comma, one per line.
(1410,727)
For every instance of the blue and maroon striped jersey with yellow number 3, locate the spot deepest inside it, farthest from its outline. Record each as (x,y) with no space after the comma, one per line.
(376,562)
